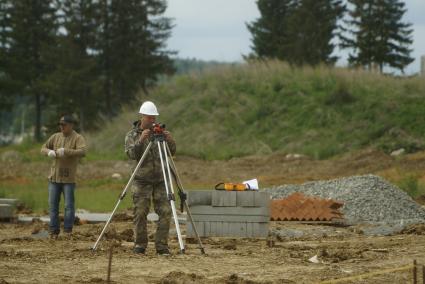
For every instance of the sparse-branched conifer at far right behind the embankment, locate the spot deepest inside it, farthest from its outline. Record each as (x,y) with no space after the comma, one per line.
(377,35)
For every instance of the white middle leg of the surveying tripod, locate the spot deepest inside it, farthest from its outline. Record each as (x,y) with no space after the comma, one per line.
(170,193)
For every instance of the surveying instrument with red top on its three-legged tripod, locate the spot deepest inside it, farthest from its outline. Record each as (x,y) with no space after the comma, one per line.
(168,170)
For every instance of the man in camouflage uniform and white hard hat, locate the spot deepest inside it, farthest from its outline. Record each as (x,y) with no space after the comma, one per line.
(149,181)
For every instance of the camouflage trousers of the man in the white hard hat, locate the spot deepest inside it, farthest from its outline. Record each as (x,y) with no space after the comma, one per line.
(142,195)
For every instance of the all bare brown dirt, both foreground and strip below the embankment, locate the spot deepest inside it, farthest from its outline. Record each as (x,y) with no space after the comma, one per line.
(342,251)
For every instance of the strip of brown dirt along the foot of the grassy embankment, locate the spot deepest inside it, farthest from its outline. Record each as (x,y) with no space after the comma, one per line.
(270,170)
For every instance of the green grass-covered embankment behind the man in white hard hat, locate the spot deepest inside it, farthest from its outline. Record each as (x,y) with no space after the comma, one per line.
(270,107)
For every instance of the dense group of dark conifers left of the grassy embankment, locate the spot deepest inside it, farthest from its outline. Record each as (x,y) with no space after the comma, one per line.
(82,57)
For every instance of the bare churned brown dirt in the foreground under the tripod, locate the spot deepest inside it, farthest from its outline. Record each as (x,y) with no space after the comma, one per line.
(342,252)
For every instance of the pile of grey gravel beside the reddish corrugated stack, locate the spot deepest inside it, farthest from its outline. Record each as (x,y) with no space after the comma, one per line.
(366,199)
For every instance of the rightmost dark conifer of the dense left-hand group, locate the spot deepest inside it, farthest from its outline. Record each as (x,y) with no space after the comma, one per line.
(132,47)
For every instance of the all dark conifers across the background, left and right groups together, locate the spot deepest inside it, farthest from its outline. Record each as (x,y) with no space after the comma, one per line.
(91,57)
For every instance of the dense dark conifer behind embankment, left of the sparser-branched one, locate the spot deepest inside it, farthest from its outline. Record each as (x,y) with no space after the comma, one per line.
(297,31)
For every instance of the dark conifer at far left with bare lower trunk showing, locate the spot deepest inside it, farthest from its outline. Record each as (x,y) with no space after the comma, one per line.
(33,35)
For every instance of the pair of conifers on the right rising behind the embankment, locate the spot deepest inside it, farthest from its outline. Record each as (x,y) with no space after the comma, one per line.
(306,32)
